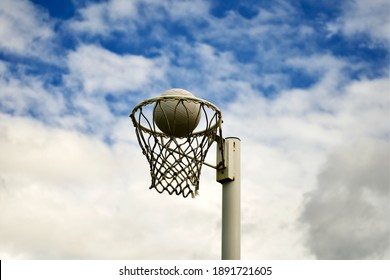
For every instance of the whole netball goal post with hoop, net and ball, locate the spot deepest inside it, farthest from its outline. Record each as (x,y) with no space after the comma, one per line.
(175,131)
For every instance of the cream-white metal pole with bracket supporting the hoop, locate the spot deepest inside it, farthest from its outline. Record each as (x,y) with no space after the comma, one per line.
(231,199)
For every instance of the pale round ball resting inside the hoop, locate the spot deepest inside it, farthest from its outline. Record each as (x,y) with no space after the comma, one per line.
(177,118)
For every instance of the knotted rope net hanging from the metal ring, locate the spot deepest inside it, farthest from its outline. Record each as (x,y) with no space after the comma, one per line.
(176,162)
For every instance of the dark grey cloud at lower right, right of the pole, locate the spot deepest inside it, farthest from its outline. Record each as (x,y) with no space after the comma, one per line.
(348,212)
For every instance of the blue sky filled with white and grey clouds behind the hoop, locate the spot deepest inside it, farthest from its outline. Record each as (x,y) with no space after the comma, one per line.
(304,84)
